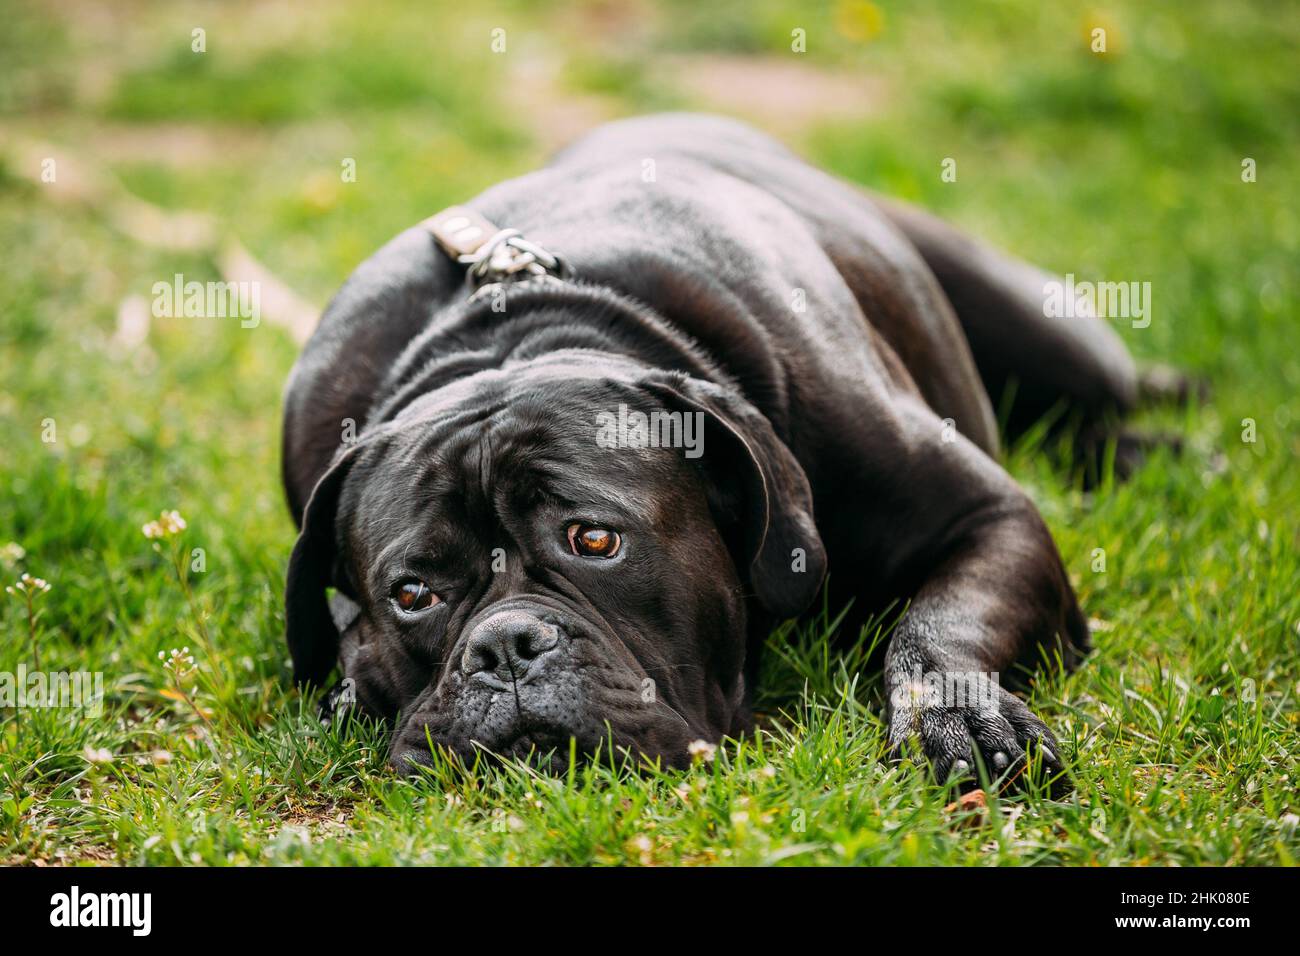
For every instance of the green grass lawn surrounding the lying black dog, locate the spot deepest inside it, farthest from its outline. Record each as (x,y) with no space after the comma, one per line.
(1181,729)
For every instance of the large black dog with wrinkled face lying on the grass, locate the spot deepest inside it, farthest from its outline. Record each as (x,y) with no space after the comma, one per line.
(574,504)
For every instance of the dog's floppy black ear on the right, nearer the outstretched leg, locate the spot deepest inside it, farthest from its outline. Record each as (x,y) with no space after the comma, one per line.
(762,494)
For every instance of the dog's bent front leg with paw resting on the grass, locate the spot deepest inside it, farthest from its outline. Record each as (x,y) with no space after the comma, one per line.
(989,595)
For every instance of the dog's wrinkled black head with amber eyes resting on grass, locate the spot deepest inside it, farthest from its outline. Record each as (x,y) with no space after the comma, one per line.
(530,564)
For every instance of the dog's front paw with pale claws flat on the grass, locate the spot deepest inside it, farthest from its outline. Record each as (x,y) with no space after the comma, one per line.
(986,724)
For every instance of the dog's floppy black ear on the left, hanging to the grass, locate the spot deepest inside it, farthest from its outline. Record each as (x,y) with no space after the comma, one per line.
(309,625)
